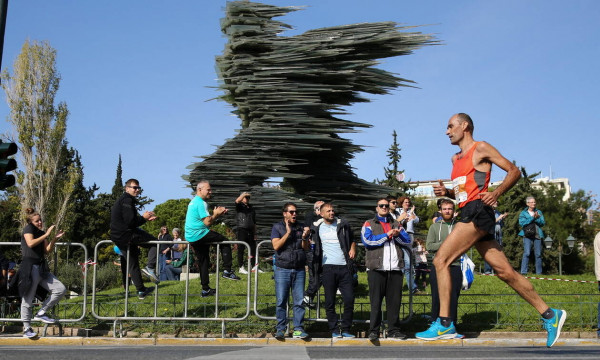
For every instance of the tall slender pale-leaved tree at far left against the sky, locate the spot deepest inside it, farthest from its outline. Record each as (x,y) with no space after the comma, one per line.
(45,183)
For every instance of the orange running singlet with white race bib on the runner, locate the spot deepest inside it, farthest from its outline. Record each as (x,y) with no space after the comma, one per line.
(468,182)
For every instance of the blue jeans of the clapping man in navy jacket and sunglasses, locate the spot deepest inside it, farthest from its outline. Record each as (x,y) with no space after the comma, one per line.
(286,279)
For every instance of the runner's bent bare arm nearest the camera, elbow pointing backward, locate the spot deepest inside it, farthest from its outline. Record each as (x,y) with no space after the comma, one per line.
(487,153)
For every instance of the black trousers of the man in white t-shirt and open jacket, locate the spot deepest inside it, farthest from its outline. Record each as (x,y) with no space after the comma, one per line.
(336,277)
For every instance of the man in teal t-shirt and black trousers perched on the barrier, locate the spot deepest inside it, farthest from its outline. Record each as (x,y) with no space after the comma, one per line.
(197,232)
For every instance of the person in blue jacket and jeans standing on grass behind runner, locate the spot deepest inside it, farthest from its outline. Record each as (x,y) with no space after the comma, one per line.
(532,218)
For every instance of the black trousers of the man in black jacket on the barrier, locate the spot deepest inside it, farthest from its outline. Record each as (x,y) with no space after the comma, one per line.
(138,238)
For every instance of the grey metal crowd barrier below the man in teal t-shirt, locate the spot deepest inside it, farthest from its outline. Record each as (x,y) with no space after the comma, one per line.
(185,316)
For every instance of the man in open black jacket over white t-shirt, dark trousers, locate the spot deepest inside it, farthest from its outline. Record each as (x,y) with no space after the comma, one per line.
(334,254)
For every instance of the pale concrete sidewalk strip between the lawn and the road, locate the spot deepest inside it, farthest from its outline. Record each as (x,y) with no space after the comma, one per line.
(532,339)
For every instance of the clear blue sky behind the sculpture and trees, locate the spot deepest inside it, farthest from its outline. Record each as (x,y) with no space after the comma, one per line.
(137,76)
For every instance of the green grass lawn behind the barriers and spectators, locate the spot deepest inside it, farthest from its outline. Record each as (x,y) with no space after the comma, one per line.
(488,305)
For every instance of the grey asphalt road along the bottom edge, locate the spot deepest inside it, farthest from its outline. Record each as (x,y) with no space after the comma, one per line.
(294,352)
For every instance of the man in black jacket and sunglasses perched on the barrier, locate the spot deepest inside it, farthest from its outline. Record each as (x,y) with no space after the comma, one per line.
(124,232)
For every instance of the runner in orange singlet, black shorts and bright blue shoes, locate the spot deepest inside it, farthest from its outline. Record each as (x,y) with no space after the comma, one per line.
(470,177)
